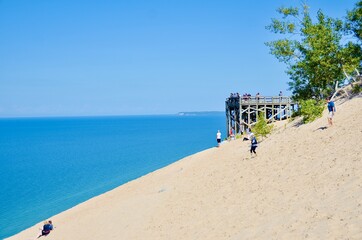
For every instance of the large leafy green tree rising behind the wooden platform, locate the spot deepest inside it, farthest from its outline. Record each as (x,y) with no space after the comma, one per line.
(313,52)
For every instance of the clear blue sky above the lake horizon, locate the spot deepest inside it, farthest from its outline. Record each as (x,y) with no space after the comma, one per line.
(104,57)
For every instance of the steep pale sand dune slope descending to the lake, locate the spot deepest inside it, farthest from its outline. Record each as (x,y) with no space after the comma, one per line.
(305,183)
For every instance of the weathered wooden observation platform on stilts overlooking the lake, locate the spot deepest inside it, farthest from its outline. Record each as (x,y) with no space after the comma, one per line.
(243,112)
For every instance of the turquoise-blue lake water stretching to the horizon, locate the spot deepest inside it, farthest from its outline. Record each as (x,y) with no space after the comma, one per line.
(49,165)
